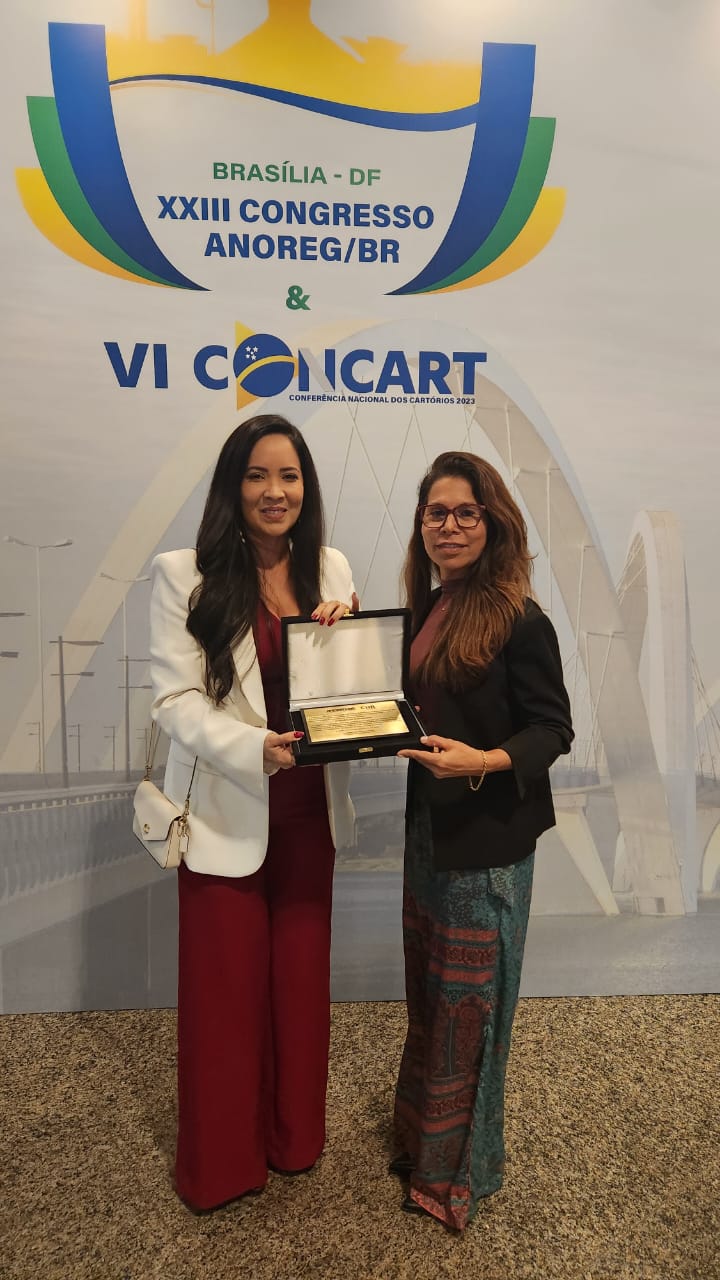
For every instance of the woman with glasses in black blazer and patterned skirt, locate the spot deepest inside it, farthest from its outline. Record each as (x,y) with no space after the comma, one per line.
(487,675)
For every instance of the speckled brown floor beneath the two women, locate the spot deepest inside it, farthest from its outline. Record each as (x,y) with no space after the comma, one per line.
(613,1136)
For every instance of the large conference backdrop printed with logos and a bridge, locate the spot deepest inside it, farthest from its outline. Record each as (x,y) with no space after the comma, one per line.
(407,228)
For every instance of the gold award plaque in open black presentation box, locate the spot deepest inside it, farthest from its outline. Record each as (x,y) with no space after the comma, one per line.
(347,687)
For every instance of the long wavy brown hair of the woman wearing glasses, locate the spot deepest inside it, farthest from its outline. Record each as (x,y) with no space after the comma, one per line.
(496,587)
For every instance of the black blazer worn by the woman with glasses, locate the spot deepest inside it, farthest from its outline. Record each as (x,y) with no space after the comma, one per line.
(521,706)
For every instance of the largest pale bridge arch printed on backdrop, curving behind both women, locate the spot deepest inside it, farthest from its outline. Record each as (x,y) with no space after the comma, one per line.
(505,414)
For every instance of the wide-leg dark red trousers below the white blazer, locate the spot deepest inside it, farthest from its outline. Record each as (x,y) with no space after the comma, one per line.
(254,1017)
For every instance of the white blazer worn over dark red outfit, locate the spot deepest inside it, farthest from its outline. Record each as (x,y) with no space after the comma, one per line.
(229,806)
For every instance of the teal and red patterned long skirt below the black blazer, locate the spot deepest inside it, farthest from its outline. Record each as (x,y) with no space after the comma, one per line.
(464,939)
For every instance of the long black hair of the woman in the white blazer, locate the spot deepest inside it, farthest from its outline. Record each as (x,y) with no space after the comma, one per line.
(225,604)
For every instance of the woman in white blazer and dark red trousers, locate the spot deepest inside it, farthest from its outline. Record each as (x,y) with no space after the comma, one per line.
(256,886)
